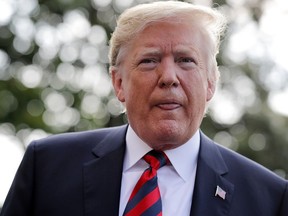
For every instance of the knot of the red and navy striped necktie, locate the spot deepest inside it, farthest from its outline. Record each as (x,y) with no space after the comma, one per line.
(156,159)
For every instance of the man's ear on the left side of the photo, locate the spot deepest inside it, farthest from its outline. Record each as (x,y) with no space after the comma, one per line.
(117,83)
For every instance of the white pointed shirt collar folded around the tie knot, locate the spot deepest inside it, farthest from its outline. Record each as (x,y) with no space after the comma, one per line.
(183,158)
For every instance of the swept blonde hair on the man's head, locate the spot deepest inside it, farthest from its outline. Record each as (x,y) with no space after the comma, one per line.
(135,19)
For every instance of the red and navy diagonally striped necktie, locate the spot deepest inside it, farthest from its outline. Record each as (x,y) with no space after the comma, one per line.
(145,199)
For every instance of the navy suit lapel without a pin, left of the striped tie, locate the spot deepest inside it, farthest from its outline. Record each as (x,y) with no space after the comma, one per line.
(102,176)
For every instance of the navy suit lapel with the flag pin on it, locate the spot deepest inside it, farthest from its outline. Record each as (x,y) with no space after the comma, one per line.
(211,170)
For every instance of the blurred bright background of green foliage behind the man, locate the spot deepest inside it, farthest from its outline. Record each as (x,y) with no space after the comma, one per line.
(54,78)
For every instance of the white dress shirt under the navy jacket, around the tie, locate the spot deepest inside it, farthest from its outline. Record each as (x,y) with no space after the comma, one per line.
(176,182)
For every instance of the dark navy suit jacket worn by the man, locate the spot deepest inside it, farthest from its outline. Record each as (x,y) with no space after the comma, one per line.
(80,174)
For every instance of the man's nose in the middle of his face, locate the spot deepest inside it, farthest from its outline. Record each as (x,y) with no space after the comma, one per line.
(168,75)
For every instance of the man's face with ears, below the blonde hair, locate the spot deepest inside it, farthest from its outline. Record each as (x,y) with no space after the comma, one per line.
(162,79)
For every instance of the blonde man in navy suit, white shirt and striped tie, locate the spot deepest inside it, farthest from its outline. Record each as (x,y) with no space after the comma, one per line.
(164,70)
